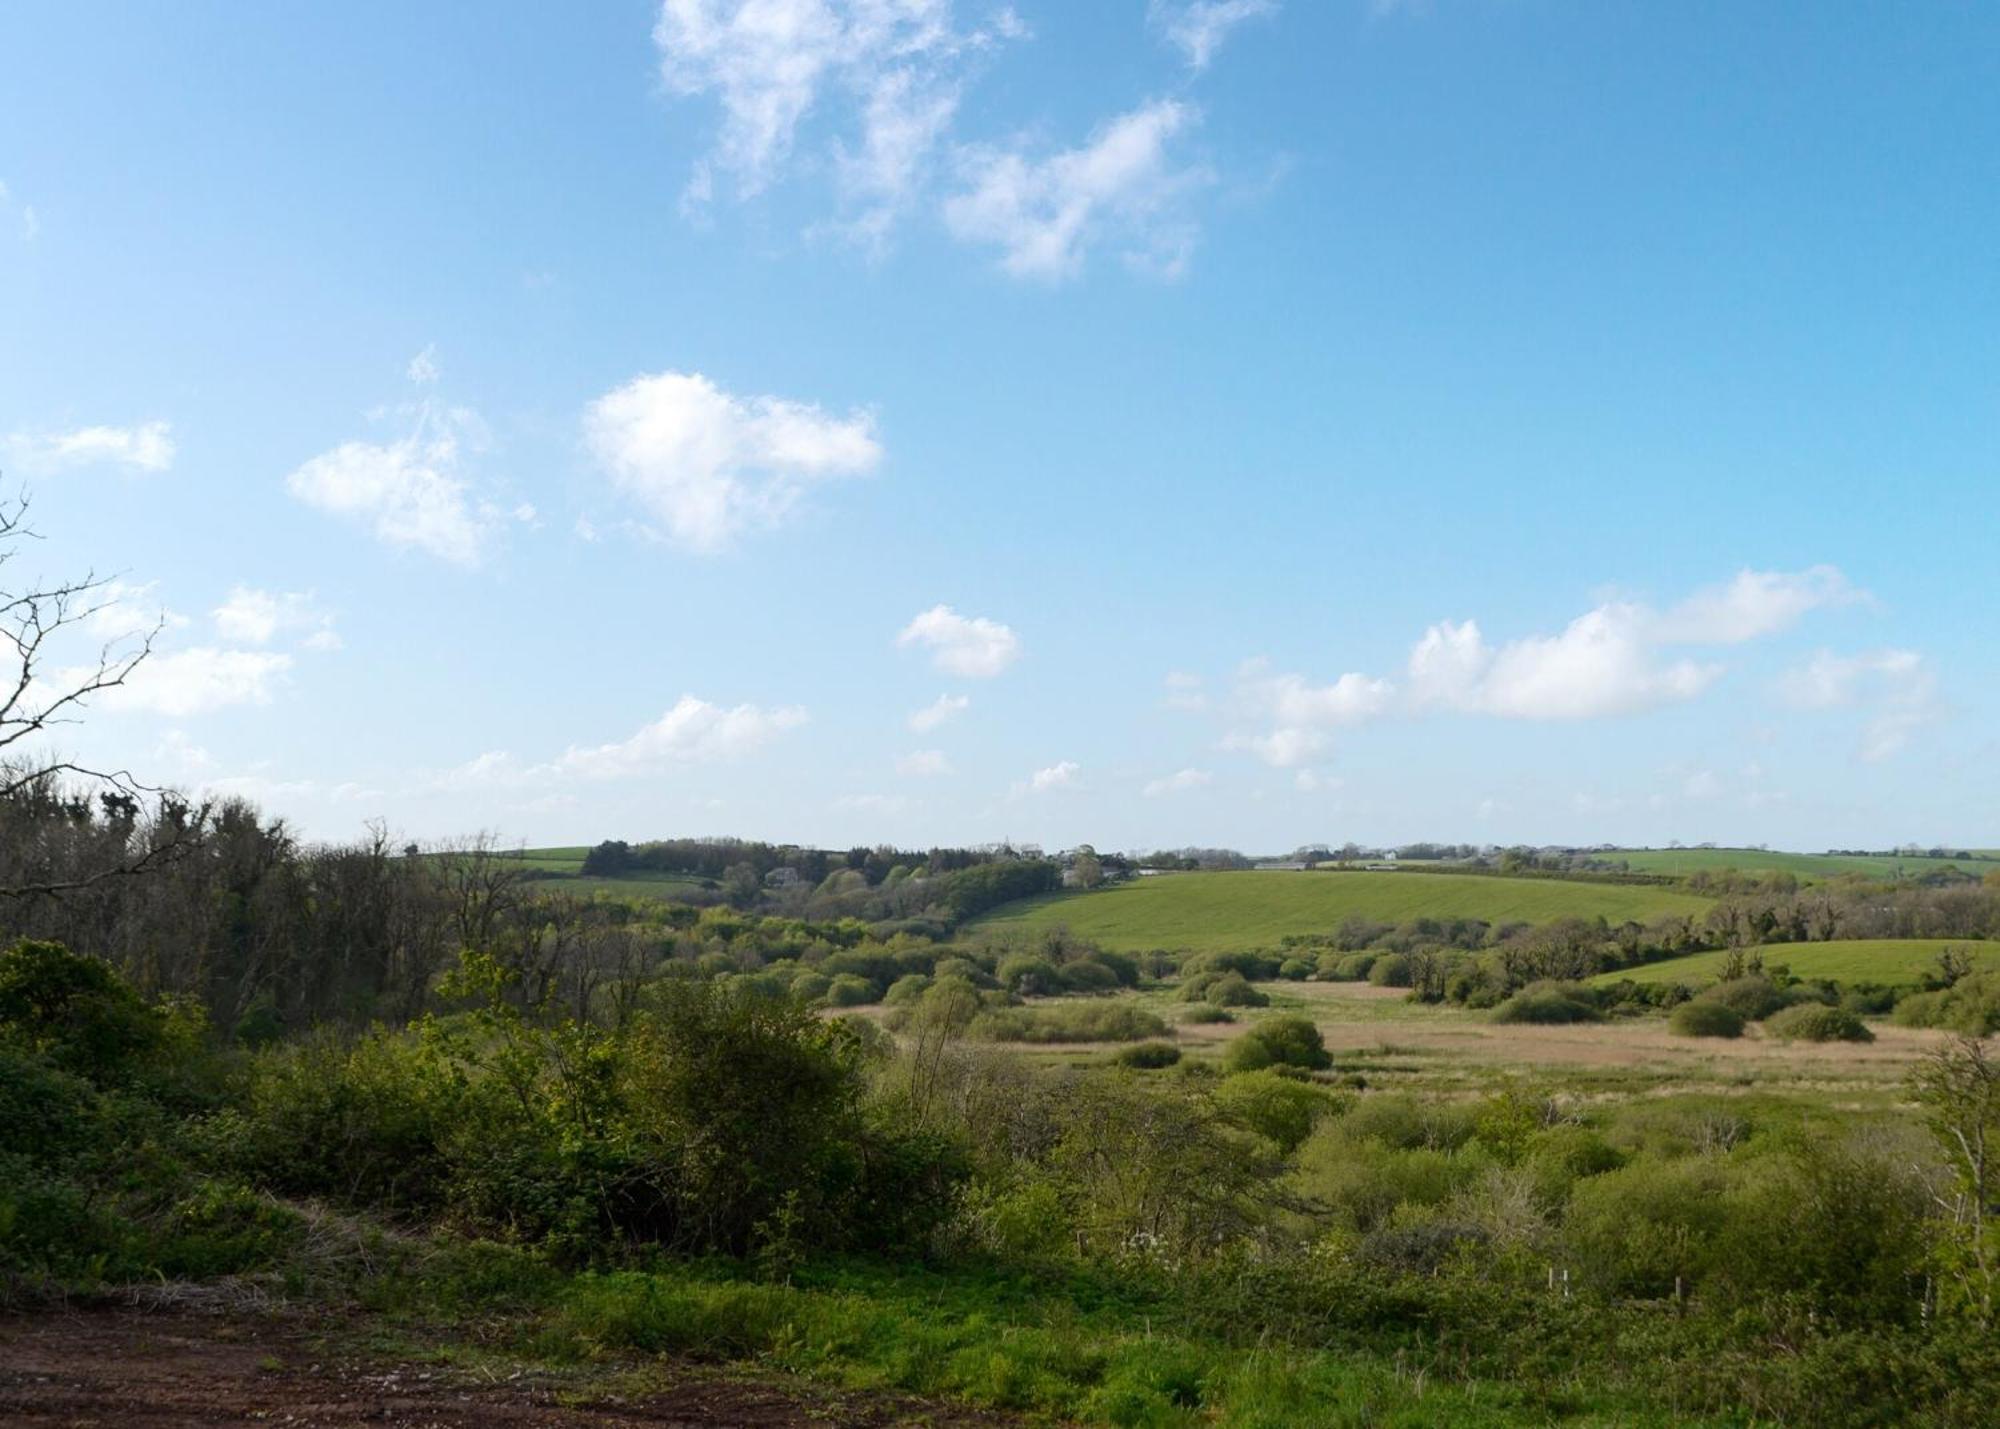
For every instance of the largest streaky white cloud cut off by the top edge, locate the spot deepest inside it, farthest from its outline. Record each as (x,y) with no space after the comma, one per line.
(885,77)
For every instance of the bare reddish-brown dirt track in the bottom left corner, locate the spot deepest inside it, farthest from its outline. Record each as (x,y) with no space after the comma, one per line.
(153,1370)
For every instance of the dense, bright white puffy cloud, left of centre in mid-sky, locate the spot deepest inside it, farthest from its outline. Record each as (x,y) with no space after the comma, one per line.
(711,465)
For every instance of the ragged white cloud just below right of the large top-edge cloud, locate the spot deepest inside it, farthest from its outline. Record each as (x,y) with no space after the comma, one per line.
(1121,187)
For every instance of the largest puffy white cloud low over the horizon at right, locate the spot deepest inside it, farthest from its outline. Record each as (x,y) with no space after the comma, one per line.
(1603,663)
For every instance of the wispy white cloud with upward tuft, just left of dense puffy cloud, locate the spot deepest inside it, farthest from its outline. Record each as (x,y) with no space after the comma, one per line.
(411,491)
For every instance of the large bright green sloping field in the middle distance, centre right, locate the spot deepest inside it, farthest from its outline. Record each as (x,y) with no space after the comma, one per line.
(1211,912)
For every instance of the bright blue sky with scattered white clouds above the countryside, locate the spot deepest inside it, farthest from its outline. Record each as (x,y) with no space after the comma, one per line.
(1131,423)
